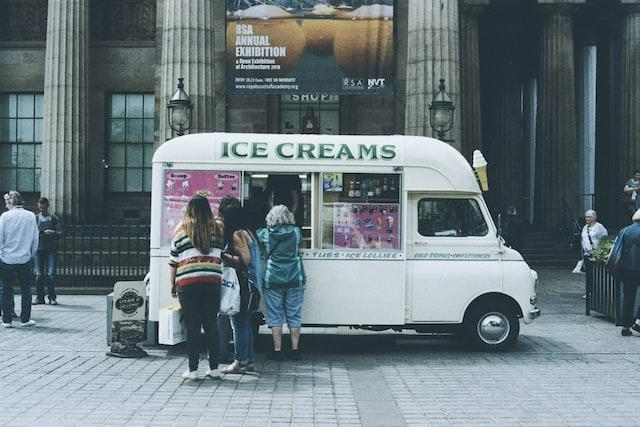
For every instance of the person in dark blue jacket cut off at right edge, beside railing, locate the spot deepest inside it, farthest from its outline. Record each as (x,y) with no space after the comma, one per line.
(627,244)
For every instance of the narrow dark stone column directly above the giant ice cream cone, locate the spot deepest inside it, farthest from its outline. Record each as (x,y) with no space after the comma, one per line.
(470,108)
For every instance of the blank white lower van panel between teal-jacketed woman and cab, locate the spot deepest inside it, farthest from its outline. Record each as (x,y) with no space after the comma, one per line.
(349,292)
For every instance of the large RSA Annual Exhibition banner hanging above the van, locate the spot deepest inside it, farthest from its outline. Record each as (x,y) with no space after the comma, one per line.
(310,46)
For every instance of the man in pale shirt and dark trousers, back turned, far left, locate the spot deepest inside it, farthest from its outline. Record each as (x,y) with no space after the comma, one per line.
(18,246)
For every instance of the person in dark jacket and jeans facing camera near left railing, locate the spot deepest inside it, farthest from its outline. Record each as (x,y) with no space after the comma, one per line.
(45,259)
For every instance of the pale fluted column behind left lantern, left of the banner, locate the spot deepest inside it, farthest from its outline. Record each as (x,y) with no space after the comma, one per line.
(188,51)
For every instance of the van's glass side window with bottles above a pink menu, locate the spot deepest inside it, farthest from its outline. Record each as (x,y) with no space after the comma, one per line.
(361,211)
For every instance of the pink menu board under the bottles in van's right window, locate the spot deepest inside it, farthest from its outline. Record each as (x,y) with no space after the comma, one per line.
(366,226)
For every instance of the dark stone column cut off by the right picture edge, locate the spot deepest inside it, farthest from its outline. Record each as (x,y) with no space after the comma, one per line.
(630,87)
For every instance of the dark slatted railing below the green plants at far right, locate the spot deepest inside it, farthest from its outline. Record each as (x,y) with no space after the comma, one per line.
(604,292)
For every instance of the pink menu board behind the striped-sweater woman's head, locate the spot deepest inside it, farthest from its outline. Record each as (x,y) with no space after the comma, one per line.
(180,186)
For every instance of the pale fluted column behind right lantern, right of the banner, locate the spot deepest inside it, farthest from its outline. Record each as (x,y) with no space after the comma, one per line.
(432,54)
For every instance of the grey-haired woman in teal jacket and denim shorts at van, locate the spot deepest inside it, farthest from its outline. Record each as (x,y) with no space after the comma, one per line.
(284,278)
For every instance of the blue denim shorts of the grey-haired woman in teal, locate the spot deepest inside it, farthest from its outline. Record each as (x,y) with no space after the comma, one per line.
(284,303)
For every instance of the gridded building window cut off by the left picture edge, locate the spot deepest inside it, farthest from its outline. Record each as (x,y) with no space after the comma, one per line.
(20,141)
